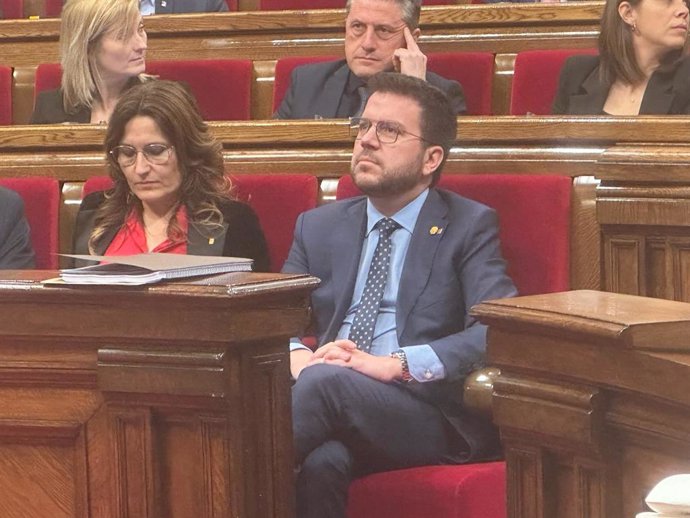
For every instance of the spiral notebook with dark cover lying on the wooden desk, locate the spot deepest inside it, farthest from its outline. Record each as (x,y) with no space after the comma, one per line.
(149,268)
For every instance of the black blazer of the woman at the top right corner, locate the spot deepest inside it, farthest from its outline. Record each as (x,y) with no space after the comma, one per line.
(580,91)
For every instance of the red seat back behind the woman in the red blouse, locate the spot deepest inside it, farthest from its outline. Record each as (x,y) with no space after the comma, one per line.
(276,199)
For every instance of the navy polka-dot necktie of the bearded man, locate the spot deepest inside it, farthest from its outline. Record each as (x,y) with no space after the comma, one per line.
(362,329)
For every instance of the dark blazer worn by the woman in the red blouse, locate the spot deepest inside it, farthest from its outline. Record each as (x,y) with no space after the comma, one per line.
(242,236)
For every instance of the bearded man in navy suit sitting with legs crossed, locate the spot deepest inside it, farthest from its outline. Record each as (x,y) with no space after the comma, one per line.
(400,269)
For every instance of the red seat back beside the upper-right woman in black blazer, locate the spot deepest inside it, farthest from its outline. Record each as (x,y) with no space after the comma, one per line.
(535,79)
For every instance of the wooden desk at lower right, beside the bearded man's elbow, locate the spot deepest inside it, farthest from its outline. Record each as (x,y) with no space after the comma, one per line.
(592,401)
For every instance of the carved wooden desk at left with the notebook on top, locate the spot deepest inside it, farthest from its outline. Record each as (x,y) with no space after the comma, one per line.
(164,401)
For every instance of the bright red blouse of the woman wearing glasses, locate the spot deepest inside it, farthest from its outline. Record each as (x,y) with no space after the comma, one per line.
(131,238)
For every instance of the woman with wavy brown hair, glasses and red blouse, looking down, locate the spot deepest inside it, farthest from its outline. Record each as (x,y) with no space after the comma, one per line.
(170,193)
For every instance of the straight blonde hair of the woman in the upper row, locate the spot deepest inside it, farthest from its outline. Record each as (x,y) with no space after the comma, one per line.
(83,25)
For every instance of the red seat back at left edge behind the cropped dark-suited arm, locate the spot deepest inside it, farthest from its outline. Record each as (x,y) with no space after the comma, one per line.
(41,204)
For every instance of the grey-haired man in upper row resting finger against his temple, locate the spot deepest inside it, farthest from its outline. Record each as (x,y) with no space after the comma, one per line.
(380,35)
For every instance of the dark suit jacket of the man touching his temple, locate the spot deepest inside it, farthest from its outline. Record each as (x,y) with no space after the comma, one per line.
(317,89)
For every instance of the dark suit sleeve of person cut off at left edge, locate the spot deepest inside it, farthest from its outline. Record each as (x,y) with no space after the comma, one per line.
(15,237)
